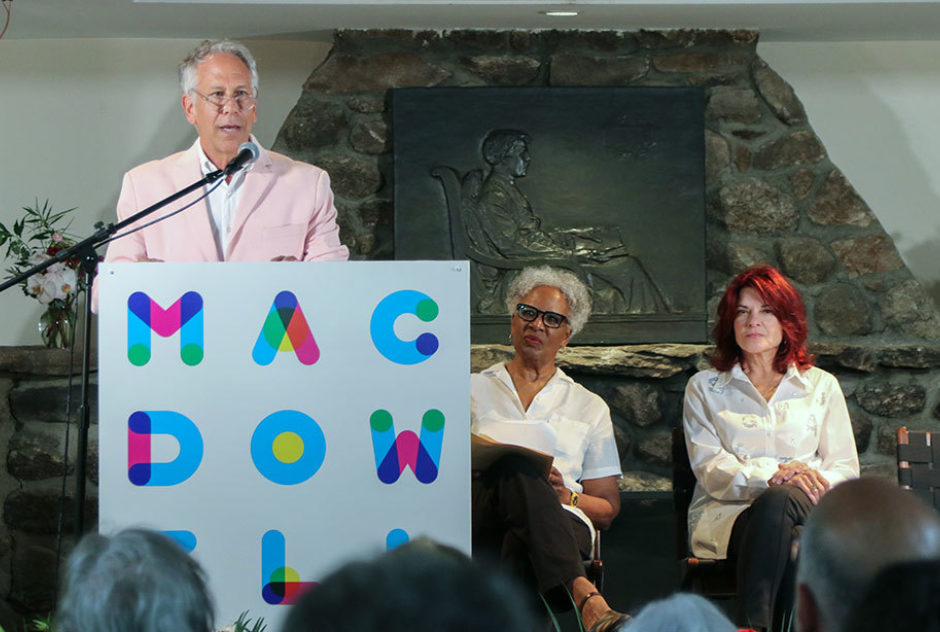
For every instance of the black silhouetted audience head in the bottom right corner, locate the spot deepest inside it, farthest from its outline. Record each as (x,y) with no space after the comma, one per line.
(902,597)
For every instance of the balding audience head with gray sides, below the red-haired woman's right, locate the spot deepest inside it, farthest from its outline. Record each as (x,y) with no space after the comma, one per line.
(858,528)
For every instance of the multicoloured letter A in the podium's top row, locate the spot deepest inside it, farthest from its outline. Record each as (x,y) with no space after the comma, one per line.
(285,329)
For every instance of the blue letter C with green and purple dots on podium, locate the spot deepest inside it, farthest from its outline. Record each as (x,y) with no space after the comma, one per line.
(383,333)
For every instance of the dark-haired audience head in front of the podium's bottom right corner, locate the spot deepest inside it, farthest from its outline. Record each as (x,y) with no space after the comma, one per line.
(418,586)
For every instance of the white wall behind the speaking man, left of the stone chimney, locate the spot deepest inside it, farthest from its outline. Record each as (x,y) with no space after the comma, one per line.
(76,114)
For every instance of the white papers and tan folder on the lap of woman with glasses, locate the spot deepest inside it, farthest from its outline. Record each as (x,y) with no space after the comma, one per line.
(496,439)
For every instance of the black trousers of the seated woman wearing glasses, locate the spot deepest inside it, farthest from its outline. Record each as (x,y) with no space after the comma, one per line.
(517,518)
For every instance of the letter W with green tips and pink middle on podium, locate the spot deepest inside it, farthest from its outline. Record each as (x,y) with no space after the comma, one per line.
(394,454)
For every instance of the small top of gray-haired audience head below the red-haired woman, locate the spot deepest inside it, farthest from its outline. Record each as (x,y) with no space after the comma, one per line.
(681,612)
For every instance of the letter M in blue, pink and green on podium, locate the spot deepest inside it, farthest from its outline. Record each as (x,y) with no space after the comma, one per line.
(144,316)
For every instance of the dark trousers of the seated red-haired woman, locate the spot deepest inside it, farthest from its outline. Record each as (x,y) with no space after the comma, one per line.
(761,543)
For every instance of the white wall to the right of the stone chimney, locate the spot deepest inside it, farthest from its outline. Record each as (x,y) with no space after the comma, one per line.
(875,107)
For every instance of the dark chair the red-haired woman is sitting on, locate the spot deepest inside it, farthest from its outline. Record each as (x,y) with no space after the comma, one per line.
(707,577)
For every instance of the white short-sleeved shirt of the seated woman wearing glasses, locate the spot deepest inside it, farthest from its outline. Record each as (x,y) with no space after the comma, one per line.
(581,420)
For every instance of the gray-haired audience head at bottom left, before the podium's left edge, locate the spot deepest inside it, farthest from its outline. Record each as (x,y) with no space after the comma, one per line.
(135,580)
